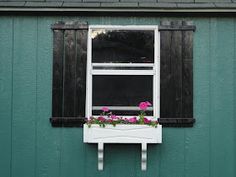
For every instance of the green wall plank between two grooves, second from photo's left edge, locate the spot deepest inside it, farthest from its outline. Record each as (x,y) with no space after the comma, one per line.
(24,97)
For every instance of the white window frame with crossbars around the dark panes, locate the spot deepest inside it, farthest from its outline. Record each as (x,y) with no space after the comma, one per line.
(155,72)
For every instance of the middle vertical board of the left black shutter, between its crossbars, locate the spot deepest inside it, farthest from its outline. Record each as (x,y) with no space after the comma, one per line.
(69,80)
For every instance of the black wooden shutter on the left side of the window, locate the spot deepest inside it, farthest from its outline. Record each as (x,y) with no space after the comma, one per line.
(69,73)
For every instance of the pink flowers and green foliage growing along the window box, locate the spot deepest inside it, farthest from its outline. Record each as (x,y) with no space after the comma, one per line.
(108,118)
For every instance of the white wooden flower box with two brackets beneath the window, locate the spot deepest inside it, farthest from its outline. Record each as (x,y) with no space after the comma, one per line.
(123,133)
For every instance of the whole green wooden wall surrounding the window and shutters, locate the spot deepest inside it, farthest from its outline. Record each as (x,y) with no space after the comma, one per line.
(30,147)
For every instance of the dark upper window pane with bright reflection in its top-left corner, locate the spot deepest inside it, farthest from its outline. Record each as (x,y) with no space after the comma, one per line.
(122,46)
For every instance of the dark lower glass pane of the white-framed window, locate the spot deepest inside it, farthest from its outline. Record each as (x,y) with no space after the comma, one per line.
(122,90)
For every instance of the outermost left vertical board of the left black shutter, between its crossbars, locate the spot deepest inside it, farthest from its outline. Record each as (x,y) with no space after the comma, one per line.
(57,93)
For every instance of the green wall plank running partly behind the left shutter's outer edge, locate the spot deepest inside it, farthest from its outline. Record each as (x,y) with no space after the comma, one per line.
(48,138)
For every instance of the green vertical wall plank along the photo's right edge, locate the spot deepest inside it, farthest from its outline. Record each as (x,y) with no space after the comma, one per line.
(222,89)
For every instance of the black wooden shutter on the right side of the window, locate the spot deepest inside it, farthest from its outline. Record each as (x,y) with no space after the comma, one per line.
(176,102)
